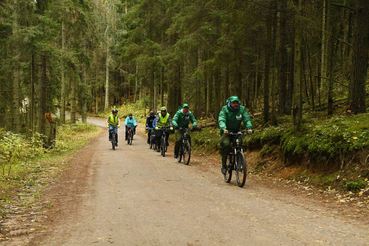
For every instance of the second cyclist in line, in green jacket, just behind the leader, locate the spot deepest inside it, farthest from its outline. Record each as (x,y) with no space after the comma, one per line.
(181,119)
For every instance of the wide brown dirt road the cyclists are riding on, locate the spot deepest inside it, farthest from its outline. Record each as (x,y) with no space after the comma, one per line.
(133,196)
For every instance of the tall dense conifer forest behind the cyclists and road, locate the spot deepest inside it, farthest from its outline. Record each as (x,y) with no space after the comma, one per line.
(281,57)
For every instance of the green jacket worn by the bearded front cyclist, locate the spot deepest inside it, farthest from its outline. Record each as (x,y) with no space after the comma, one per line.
(231,119)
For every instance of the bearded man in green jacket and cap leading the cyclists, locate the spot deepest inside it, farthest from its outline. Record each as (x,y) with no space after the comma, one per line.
(230,118)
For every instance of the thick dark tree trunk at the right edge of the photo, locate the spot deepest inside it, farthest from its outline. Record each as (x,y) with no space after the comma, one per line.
(360,57)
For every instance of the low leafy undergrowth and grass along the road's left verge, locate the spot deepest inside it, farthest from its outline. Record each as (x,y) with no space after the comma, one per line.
(24,162)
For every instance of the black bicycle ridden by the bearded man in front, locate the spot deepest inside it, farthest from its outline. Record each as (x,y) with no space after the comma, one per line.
(236,160)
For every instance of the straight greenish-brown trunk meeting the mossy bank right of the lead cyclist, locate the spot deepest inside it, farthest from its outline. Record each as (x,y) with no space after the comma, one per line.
(297,92)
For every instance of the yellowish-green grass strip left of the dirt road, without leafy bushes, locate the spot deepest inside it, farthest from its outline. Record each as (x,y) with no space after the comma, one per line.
(30,173)
